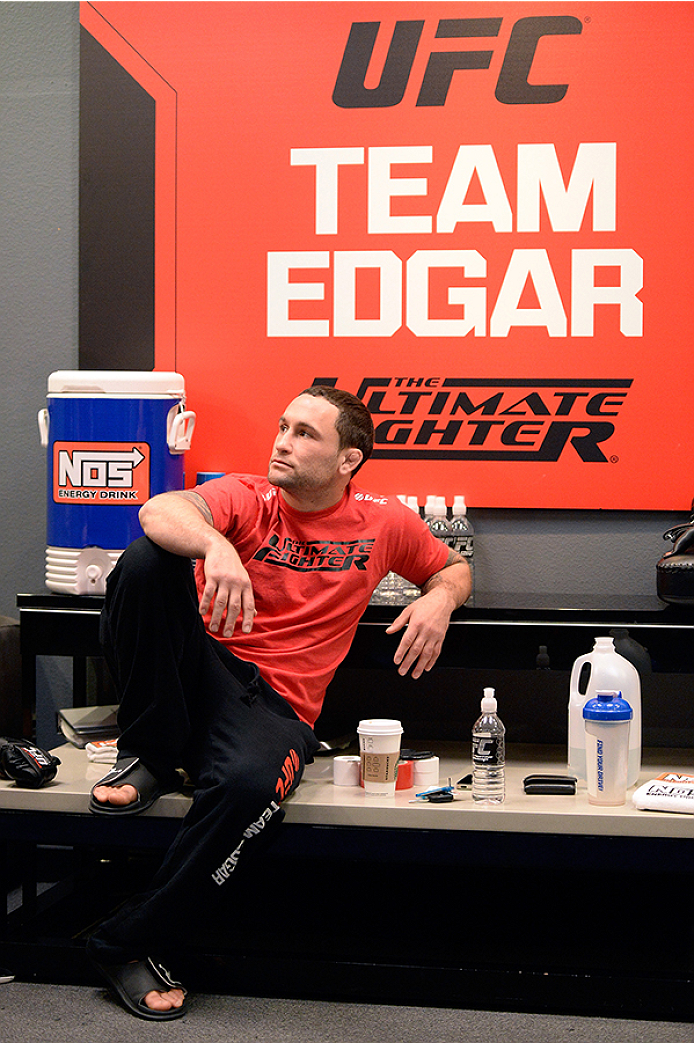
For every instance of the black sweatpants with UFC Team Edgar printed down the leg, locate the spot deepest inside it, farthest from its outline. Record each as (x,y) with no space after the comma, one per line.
(187,702)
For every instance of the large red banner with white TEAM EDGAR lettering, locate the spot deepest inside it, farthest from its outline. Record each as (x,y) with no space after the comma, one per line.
(490,242)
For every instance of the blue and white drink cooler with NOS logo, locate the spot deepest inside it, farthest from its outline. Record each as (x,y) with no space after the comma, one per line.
(114,441)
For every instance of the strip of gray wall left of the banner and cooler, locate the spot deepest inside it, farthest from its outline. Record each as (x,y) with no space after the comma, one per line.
(39,152)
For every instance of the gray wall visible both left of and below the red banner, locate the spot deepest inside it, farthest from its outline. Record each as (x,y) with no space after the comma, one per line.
(572,552)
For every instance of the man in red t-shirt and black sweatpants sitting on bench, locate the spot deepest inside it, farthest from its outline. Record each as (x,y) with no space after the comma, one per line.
(225,674)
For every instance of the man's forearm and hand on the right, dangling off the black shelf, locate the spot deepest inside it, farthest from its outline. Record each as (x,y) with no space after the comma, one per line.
(426,620)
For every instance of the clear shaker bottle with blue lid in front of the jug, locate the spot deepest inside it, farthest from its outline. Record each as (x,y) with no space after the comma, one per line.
(607,719)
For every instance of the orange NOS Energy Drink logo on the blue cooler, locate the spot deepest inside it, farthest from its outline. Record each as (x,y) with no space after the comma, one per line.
(102,473)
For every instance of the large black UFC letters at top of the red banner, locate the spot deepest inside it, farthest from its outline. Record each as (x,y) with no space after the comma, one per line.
(513,87)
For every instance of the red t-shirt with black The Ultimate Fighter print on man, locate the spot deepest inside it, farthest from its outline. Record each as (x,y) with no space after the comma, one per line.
(313,574)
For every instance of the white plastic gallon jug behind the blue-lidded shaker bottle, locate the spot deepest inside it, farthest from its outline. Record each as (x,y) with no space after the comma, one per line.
(606,671)
